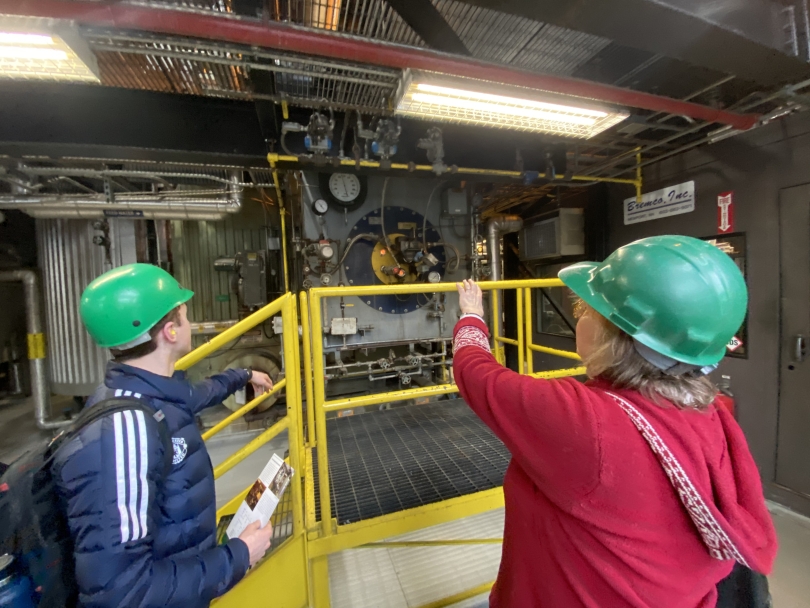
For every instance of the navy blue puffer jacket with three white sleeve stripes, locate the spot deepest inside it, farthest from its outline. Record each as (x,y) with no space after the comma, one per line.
(145,527)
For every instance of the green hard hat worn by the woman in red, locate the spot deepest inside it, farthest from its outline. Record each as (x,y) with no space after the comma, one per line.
(679,296)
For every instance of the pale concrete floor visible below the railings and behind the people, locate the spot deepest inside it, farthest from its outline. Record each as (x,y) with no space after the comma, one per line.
(409,577)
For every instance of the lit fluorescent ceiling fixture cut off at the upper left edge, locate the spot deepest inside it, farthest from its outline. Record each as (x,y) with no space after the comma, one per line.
(44,49)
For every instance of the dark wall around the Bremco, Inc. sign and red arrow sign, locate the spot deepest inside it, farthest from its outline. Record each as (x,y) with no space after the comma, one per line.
(755,166)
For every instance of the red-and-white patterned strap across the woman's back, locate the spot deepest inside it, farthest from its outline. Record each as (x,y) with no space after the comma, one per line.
(718,543)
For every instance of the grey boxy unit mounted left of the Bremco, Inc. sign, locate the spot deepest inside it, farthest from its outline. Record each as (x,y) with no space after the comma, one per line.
(559,235)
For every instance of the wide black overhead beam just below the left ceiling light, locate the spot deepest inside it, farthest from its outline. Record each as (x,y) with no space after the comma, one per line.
(106,116)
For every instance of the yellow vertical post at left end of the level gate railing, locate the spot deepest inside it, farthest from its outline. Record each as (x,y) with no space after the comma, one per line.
(320,413)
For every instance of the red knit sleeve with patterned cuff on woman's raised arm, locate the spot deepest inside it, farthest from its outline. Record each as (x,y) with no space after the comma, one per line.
(549,426)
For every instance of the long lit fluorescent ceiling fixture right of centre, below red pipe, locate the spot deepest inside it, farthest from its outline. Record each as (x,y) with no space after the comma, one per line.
(432,96)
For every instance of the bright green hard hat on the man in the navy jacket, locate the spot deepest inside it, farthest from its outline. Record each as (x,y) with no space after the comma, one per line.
(122,305)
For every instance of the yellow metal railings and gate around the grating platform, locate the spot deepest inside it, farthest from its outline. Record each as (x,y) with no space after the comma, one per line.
(295,573)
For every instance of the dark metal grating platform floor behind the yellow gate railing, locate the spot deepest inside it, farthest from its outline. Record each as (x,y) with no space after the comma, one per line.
(388,461)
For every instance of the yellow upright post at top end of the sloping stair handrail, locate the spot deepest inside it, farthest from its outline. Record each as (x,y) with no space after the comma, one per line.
(293,373)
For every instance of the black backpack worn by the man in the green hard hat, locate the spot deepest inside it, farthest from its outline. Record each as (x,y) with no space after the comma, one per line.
(33,523)
